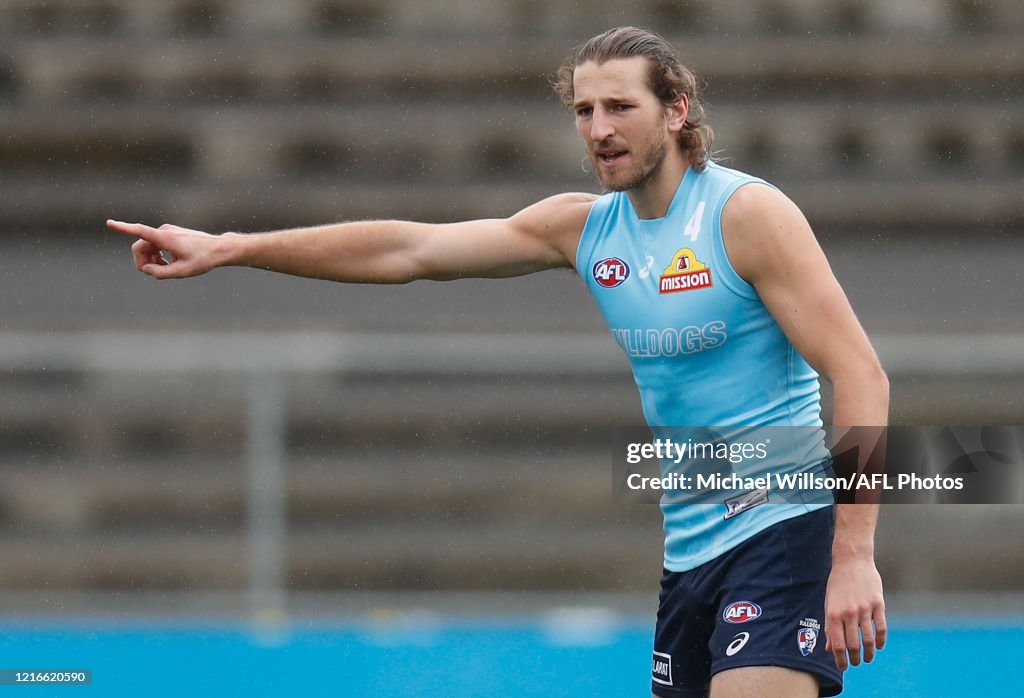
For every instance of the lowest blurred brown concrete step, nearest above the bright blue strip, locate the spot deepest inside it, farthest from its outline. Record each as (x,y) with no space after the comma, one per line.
(919,548)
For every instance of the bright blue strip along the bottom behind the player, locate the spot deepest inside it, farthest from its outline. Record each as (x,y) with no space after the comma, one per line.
(464,659)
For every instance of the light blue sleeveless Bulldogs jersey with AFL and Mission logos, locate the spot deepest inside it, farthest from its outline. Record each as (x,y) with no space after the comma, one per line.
(704,348)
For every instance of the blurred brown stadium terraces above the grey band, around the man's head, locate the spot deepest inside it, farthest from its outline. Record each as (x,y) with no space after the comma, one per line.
(193,110)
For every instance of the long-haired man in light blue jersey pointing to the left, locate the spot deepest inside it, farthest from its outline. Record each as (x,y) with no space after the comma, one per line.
(728,269)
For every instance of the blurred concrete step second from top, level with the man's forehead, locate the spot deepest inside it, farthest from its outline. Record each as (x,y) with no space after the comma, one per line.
(280,68)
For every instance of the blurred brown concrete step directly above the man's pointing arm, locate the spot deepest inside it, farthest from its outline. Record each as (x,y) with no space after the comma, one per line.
(78,204)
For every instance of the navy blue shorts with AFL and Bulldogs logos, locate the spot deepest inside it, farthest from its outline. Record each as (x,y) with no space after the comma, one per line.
(761,604)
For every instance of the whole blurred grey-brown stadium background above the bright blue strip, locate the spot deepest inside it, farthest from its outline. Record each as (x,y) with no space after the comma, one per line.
(257,447)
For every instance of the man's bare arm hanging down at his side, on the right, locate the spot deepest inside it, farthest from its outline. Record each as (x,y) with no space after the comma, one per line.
(772,246)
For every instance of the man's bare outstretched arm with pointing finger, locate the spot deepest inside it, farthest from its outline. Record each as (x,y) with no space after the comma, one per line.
(541,237)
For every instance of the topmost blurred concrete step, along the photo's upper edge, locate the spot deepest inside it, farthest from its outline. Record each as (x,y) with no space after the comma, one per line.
(253,19)
